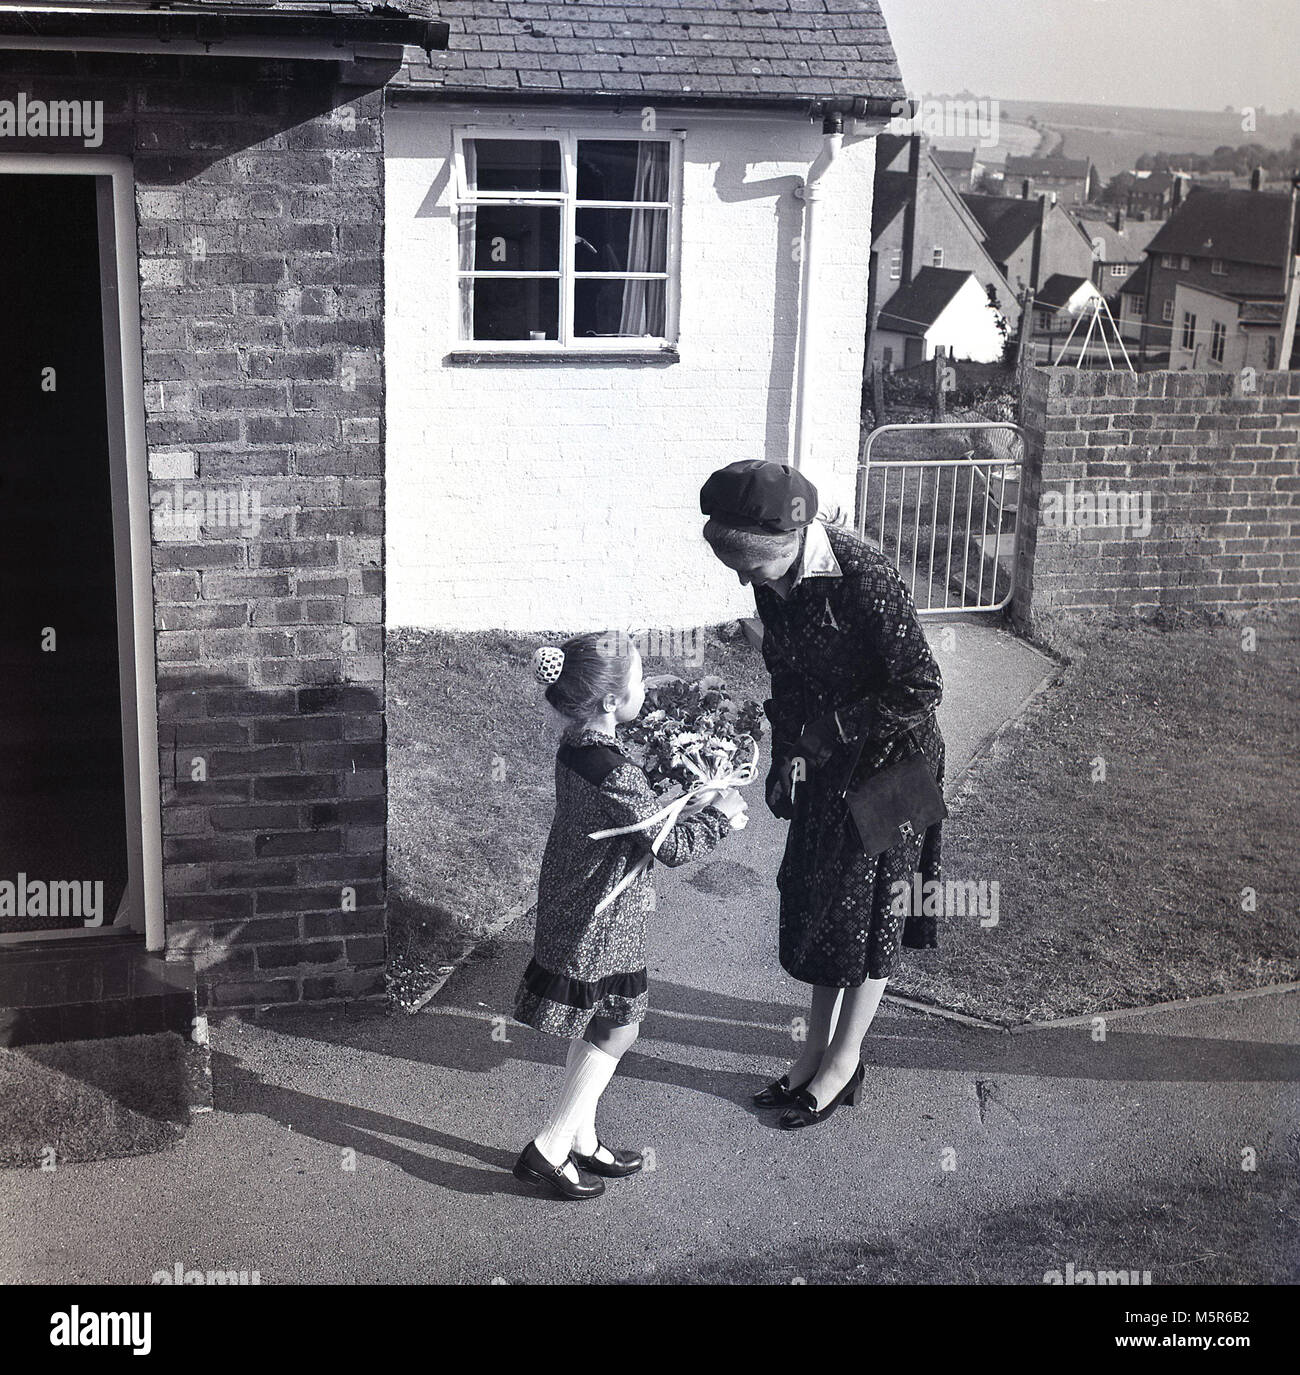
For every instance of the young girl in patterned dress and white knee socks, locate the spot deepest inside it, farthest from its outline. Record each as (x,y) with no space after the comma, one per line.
(587,980)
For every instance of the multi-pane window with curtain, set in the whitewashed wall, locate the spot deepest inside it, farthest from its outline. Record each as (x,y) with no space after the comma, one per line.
(566,241)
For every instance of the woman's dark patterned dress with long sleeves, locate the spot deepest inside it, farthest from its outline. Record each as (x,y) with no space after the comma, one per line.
(849,643)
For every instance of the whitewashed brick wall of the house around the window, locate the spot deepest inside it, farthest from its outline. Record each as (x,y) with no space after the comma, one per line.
(567,497)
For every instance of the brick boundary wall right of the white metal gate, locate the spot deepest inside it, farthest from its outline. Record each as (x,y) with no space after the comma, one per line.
(1213,459)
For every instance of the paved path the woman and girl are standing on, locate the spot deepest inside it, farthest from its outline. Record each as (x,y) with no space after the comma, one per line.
(433,1112)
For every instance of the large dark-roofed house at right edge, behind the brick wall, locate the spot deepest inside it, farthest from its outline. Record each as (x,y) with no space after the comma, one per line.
(1236,244)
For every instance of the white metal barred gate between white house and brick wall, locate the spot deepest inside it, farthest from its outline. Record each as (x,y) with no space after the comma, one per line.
(951,523)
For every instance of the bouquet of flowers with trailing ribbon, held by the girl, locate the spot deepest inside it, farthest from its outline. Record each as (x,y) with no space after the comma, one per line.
(693,736)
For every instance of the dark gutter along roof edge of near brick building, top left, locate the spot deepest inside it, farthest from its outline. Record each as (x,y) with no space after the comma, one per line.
(208,28)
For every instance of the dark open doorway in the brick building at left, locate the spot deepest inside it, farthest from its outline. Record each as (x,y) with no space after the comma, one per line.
(63,798)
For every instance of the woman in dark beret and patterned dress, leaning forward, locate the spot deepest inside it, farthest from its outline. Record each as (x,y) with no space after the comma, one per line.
(855,690)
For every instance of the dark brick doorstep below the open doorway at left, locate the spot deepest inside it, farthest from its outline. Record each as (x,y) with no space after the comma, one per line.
(91,987)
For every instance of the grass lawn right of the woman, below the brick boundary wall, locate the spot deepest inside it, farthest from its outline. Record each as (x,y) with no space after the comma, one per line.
(1127,819)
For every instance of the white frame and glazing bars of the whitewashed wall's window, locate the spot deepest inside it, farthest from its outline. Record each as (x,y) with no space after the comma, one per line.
(569,203)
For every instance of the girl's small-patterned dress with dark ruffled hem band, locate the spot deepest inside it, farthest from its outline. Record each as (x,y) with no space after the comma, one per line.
(585,963)
